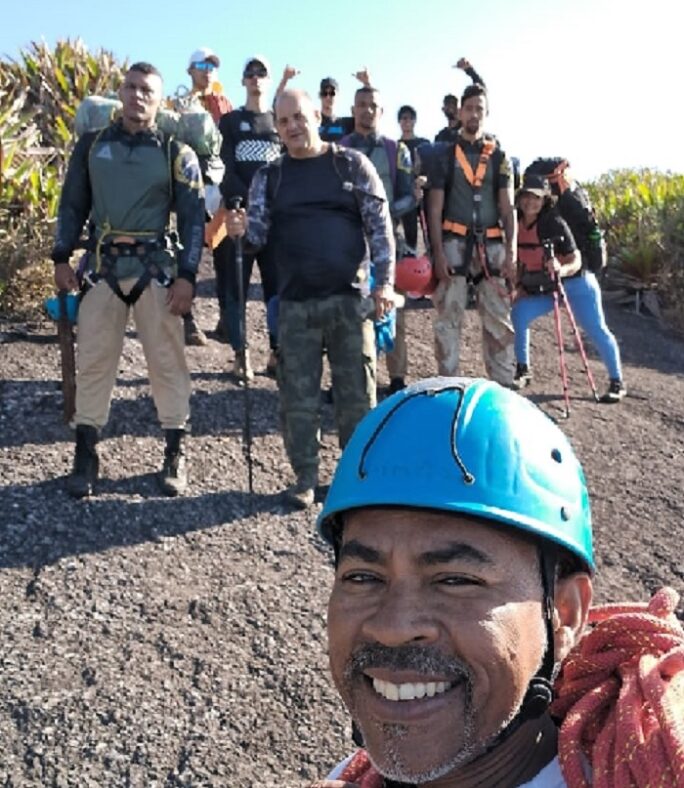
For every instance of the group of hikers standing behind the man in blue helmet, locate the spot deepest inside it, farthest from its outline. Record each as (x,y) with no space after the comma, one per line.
(325,206)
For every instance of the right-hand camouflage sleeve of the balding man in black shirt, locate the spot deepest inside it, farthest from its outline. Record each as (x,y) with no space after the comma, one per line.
(376,219)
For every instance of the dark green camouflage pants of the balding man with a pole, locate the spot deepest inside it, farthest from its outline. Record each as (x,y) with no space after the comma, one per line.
(304,329)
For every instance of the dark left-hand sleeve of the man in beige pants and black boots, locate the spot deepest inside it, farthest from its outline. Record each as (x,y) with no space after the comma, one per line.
(74,203)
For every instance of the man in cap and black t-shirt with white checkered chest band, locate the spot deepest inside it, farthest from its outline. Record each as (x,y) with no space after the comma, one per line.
(249,141)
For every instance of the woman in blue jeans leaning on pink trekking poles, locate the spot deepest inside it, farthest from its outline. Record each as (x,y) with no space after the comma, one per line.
(547,253)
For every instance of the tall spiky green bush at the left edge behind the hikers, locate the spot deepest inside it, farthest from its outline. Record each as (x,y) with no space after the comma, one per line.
(39,95)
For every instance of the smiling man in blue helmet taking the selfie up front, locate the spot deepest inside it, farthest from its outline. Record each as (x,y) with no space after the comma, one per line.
(461,526)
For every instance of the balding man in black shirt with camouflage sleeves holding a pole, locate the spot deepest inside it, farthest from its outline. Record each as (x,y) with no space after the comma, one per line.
(324,212)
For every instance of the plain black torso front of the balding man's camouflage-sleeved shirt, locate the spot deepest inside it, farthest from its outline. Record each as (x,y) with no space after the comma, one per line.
(316,234)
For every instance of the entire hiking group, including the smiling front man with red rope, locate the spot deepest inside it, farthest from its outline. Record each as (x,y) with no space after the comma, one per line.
(459,515)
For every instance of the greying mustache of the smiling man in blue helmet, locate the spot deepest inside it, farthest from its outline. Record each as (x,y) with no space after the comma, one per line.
(419,659)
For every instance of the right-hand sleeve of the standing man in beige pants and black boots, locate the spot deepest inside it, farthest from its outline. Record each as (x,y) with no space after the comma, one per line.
(188,199)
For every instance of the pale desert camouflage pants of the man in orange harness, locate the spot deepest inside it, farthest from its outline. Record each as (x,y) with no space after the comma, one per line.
(493,305)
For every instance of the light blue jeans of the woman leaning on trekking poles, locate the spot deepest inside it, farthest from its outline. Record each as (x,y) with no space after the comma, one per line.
(584,297)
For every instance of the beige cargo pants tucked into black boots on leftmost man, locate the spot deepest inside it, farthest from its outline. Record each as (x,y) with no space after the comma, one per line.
(102,318)
